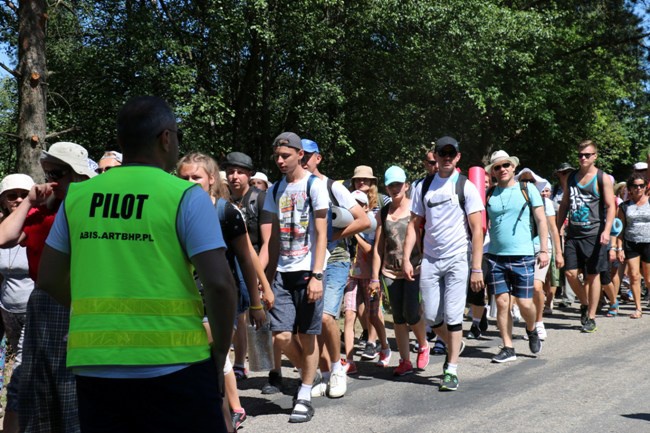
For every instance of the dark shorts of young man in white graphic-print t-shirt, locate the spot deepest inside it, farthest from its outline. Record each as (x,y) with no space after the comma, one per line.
(292,312)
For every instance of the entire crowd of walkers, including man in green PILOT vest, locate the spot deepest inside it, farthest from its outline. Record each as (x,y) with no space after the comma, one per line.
(115,285)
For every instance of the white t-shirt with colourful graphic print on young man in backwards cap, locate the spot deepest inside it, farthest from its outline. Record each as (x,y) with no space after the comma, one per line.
(297,231)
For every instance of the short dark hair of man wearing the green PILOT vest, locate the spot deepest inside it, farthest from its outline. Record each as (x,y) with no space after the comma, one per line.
(141,120)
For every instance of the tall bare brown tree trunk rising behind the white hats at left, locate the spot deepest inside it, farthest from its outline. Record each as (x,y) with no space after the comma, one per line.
(32,86)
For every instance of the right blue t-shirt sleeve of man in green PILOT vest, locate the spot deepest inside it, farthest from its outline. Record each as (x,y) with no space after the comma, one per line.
(198,223)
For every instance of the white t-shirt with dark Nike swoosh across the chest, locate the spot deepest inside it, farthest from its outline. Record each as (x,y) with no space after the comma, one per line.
(445,230)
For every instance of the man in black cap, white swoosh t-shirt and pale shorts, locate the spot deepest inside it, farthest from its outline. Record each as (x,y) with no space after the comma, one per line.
(449,223)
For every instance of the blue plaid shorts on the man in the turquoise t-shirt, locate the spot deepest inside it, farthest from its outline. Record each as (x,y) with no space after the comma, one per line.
(511,274)
